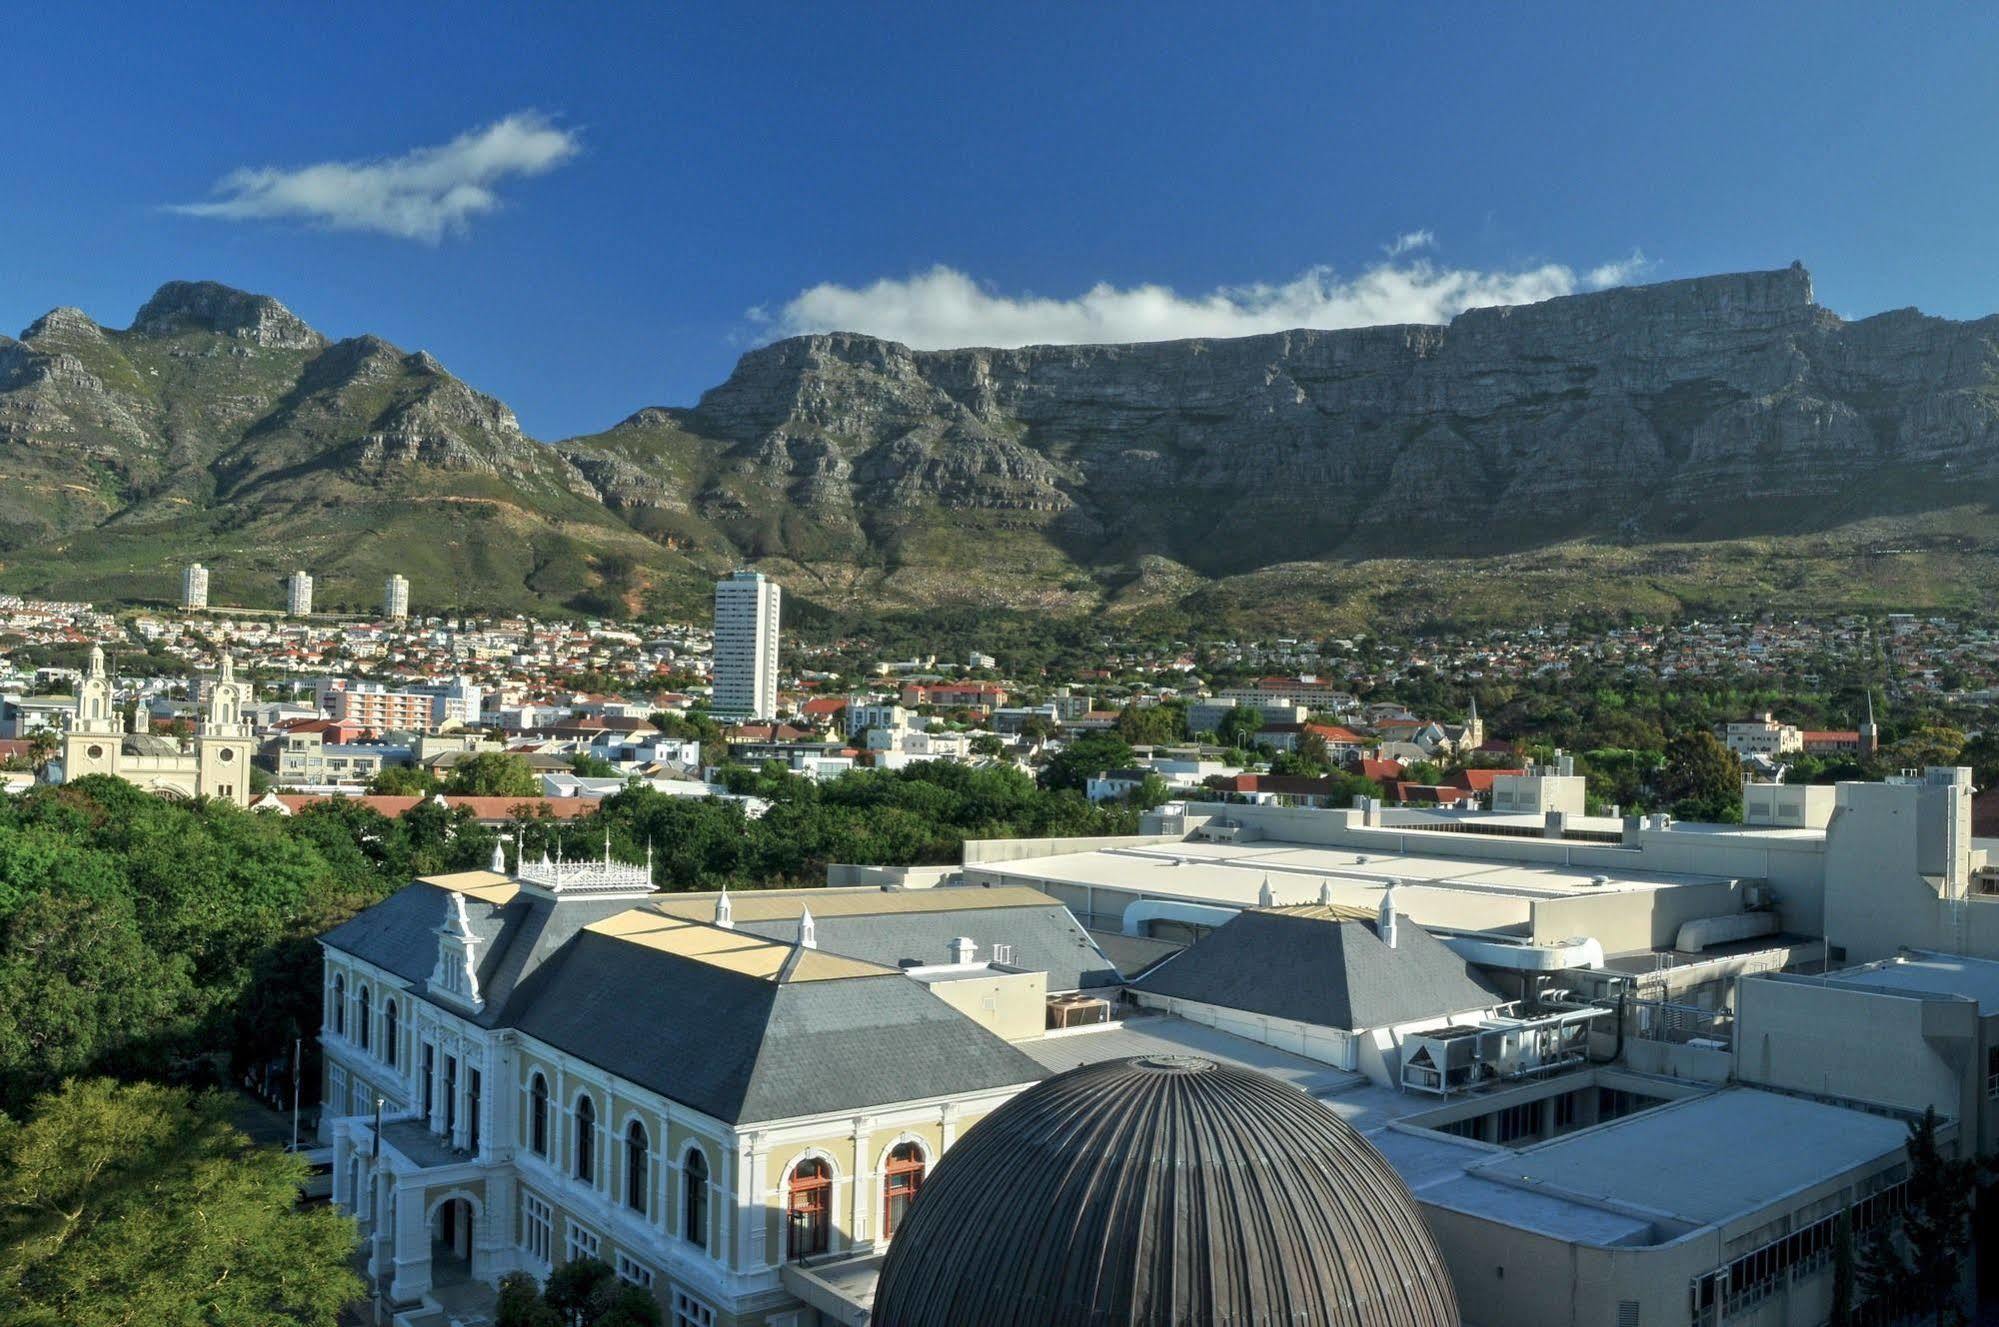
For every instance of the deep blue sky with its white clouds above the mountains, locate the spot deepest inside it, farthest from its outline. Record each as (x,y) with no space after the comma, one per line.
(677,183)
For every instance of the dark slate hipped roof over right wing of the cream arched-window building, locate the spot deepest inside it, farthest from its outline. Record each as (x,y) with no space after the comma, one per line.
(753,1050)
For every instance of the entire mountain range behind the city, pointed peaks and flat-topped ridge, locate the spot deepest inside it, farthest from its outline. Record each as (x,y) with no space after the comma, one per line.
(1716,441)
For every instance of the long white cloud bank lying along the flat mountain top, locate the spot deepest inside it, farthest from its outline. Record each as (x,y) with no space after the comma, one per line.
(945,309)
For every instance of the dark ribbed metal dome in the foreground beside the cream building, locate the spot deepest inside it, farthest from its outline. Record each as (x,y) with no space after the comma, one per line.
(1164,1190)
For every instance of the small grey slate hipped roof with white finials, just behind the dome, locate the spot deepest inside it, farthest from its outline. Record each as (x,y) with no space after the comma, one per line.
(1314,968)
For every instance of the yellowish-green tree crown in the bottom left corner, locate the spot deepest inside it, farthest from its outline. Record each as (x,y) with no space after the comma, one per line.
(141,1204)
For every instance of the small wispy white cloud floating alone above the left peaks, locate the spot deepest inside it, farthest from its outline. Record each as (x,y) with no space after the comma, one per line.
(419,197)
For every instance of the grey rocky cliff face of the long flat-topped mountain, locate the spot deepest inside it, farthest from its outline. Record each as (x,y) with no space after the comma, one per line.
(1712,407)
